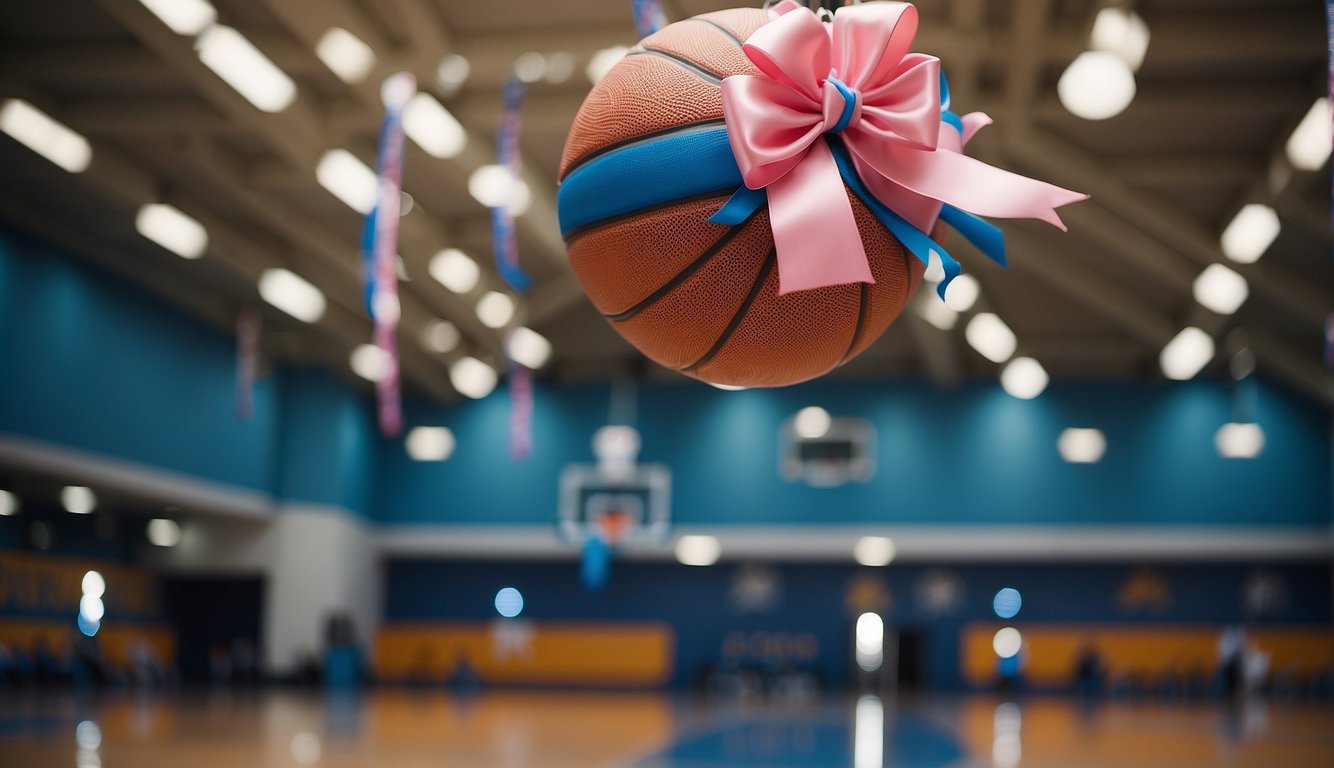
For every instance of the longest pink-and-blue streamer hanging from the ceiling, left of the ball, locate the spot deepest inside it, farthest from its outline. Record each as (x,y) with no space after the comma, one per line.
(384,230)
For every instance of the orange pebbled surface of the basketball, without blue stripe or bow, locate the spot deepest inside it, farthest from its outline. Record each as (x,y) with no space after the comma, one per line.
(697,297)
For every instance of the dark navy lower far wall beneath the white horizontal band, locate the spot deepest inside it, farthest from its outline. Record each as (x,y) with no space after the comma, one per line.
(697,603)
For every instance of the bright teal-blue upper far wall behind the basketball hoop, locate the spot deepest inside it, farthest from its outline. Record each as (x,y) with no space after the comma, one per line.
(972,455)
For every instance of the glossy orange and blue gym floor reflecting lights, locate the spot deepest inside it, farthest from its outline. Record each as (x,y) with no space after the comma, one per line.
(400,729)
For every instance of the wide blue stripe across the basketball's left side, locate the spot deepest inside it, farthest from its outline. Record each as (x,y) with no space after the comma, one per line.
(648,175)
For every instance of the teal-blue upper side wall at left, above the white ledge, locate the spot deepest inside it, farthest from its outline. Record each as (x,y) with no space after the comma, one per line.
(98,366)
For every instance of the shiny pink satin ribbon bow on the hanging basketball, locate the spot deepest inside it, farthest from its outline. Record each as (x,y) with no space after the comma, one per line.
(856,78)
